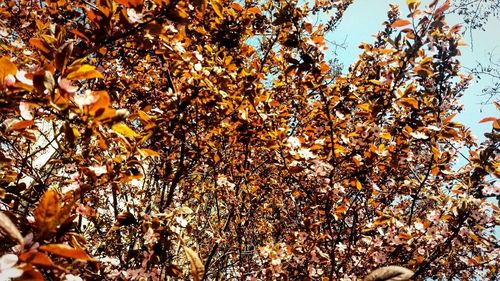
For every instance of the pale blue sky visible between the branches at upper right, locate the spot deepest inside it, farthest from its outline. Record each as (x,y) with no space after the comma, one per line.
(364,18)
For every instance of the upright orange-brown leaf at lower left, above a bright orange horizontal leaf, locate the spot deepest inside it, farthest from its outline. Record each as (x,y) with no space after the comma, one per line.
(47,212)
